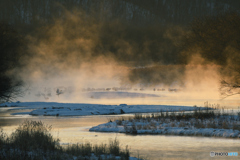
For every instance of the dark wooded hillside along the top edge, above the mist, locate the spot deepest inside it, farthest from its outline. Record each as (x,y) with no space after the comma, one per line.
(137,11)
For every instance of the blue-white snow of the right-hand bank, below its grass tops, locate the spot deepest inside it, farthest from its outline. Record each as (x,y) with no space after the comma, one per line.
(218,127)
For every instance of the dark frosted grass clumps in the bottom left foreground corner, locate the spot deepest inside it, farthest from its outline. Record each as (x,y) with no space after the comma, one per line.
(32,140)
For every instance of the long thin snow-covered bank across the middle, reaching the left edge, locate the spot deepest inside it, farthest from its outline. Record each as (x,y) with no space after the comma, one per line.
(77,109)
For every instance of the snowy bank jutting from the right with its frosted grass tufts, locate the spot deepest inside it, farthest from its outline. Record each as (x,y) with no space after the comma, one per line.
(198,123)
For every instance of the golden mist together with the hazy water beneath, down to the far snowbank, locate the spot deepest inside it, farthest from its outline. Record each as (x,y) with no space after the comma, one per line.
(77,56)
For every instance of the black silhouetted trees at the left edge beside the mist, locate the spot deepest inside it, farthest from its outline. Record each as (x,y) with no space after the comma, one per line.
(11,51)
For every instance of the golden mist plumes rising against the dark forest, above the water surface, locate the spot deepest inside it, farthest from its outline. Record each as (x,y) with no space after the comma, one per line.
(78,51)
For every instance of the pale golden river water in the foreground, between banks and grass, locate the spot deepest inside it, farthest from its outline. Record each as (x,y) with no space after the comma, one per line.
(72,130)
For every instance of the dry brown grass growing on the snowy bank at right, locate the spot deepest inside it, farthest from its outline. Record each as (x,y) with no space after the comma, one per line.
(198,119)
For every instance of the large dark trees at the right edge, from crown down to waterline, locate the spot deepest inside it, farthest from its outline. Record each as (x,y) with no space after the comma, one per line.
(217,40)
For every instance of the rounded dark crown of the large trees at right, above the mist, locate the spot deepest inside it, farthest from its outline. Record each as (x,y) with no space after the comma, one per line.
(215,38)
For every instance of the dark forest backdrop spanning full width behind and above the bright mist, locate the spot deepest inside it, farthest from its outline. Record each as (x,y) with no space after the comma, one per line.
(70,32)
